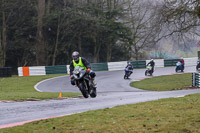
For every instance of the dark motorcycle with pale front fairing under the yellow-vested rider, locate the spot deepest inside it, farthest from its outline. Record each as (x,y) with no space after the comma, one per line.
(83,81)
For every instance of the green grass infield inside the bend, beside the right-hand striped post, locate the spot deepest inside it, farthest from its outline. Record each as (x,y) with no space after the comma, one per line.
(165,83)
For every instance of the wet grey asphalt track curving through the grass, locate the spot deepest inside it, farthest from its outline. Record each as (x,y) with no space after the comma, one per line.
(112,90)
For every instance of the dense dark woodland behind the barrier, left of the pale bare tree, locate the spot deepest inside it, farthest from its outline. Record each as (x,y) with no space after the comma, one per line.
(49,31)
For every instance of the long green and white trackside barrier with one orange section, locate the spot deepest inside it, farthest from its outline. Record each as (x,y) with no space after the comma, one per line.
(110,66)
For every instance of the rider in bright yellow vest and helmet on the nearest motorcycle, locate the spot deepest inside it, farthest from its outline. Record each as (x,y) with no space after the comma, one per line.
(81,61)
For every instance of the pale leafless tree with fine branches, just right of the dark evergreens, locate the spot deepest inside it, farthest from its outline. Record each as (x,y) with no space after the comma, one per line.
(142,20)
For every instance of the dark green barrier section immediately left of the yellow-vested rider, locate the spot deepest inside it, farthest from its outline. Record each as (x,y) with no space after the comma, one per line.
(61,69)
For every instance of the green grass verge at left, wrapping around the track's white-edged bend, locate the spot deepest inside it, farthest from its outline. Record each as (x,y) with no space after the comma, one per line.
(22,88)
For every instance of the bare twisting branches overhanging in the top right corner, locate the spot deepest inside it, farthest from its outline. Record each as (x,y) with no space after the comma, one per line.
(179,19)
